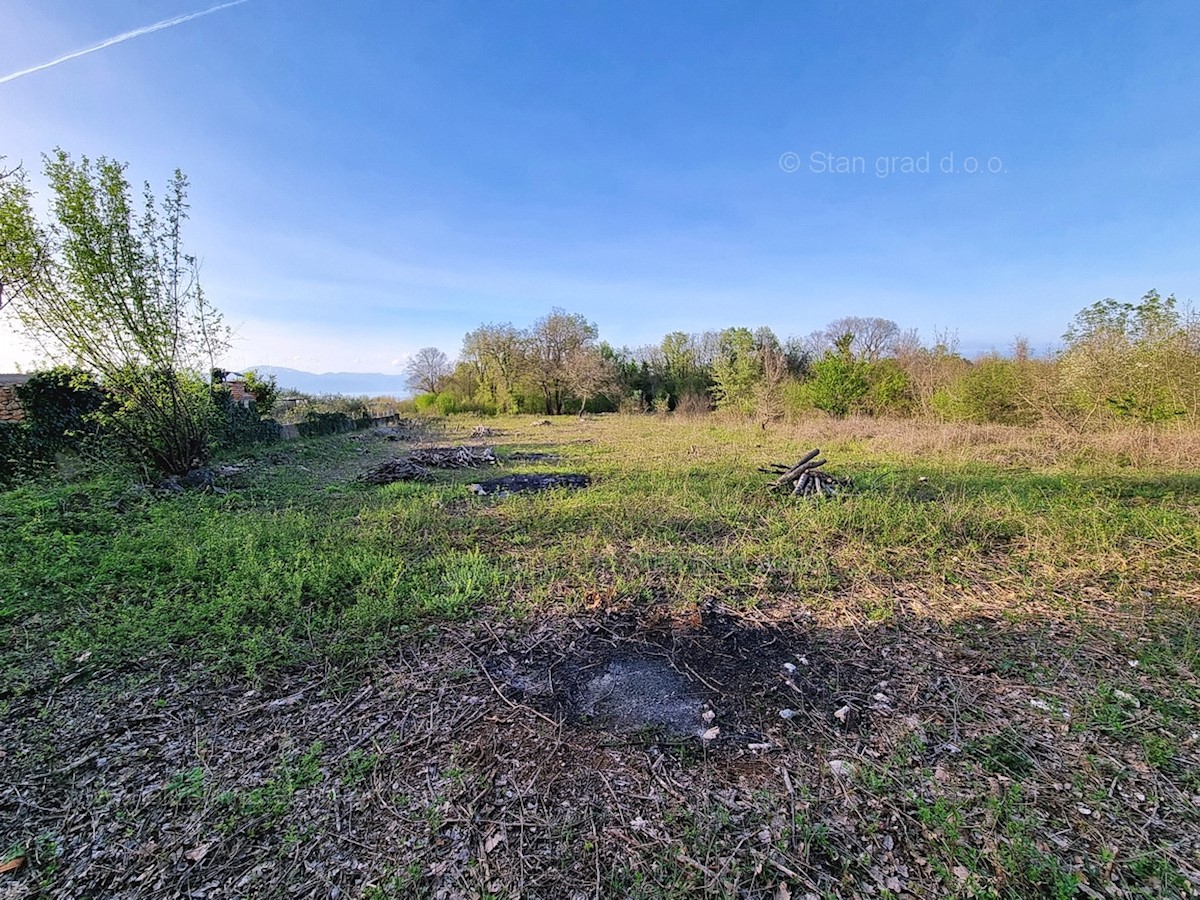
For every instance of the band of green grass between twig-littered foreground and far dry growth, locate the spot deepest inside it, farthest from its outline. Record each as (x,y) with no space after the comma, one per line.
(299,562)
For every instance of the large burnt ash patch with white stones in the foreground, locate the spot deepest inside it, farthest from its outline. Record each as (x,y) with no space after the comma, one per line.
(679,680)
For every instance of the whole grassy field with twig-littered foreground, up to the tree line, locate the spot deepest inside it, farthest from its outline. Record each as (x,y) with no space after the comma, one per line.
(975,674)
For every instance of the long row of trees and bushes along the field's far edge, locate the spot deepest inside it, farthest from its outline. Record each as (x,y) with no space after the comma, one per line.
(1120,362)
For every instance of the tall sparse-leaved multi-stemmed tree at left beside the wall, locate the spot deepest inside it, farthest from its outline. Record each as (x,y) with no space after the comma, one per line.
(112,289)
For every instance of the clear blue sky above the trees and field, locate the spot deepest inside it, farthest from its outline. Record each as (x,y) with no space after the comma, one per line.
(373,178)
